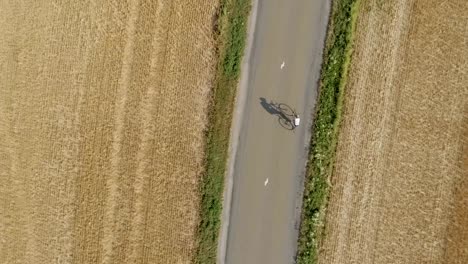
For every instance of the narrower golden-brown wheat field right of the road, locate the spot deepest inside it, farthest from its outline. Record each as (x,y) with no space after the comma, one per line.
(400,184)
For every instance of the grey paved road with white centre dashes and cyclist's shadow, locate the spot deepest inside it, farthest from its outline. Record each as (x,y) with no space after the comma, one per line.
(284,67)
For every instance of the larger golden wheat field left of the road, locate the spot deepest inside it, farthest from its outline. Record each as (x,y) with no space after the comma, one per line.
(103,106)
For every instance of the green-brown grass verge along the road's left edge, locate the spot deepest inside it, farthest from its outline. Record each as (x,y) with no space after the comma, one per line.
(231,33)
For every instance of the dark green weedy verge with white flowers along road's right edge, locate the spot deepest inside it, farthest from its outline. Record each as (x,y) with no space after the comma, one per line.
(336,60)
